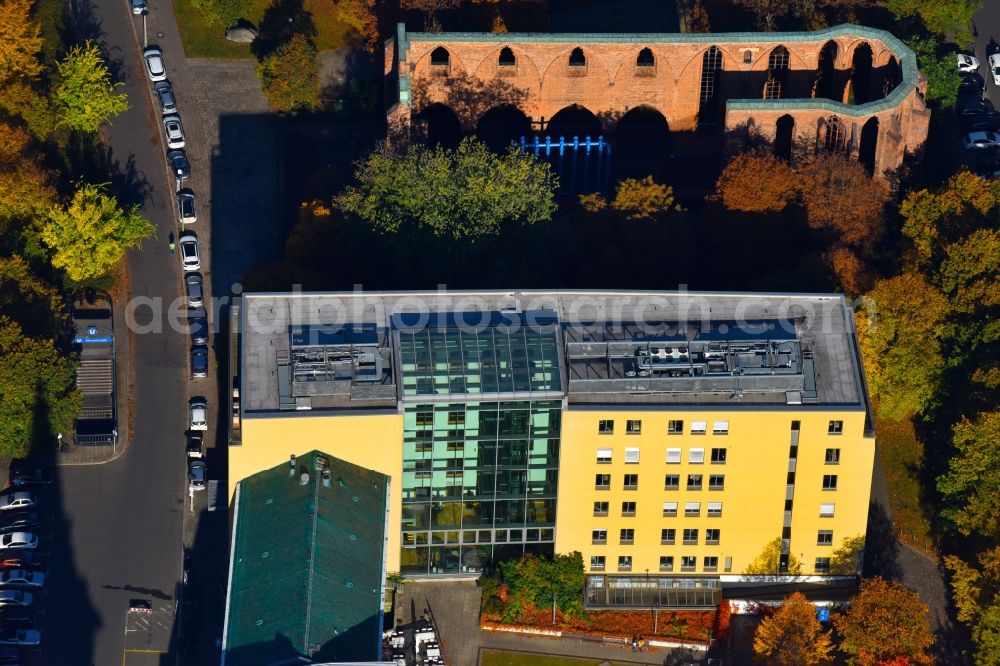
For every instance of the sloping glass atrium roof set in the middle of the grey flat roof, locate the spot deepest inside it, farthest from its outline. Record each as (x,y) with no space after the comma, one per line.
(495,359)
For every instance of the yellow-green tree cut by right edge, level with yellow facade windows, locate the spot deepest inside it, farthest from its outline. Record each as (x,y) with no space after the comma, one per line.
(971,485)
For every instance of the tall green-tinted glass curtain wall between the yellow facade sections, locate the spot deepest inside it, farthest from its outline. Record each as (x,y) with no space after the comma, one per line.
(479,483)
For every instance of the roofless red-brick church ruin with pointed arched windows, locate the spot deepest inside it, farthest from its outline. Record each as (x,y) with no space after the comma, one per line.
(849,88)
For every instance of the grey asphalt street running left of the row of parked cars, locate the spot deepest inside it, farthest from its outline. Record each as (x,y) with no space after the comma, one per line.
(117,528)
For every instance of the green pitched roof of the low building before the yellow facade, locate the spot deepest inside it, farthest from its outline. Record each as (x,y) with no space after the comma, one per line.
(306,567)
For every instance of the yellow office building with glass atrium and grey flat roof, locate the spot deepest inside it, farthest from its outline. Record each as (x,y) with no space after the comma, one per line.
(661,434)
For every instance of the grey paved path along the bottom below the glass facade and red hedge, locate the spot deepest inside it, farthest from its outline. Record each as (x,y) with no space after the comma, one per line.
(455,606)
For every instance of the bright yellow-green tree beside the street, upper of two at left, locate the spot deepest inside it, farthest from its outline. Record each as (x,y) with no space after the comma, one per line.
(84,96)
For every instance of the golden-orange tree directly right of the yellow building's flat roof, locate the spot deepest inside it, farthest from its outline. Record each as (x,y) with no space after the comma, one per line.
(900,344)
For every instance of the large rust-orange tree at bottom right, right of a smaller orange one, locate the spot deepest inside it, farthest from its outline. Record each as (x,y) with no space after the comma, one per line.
(885,622)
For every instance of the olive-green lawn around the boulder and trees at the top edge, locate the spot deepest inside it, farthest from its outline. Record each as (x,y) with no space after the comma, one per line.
(202,40)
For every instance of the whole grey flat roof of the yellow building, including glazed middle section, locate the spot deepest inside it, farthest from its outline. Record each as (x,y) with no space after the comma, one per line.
(358,350)
